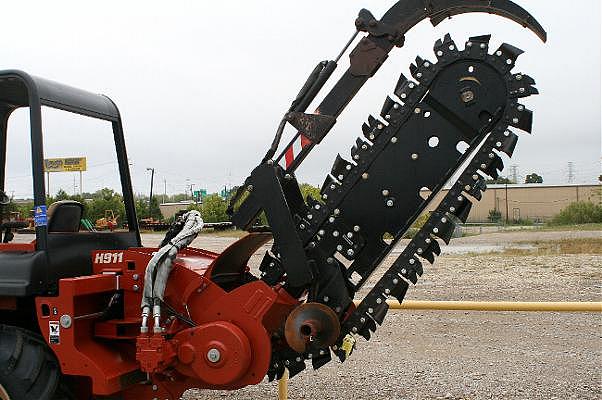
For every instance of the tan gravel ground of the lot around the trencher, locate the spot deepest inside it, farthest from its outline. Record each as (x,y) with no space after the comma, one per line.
(470,355)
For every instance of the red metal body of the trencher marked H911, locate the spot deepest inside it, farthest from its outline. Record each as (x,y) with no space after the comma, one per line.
(114,355)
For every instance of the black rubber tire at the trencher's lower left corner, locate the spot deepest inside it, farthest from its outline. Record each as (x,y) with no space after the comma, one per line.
(28,369)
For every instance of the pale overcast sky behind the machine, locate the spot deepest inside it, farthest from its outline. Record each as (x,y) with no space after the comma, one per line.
(202,85)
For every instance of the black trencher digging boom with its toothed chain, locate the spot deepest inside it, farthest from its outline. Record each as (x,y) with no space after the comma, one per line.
(468,97)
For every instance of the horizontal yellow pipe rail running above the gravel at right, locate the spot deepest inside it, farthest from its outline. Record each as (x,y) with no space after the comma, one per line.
(554,306)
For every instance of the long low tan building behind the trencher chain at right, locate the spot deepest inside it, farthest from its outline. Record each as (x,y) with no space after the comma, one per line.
(537,202)
